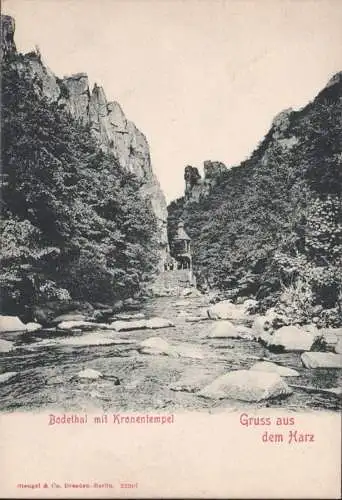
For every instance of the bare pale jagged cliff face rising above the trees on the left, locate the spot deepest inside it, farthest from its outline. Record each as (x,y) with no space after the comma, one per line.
(107,122)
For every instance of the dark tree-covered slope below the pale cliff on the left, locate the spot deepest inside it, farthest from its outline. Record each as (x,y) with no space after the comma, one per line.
(74,225)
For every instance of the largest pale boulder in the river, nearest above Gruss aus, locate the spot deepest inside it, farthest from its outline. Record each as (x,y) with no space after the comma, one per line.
(246,385)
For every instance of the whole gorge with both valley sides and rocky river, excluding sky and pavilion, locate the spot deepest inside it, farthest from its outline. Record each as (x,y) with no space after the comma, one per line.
(85,233)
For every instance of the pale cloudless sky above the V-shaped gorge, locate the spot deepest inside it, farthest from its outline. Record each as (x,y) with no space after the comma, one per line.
(202,79)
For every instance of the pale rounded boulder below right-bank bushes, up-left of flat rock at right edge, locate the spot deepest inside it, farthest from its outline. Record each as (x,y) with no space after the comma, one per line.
(289,338)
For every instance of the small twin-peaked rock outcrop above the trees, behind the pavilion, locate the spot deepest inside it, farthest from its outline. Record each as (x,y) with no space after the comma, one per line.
(195,186)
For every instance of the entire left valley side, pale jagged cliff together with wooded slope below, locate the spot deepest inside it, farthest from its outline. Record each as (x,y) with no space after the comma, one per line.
(79,199)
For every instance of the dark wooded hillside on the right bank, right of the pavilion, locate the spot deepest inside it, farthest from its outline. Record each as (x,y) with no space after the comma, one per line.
(271,227)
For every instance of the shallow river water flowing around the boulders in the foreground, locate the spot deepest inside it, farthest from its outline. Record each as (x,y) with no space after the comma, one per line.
(47,365)
